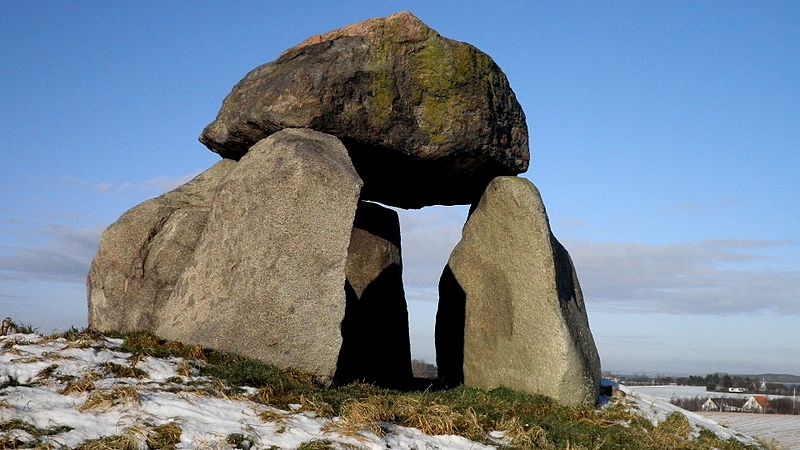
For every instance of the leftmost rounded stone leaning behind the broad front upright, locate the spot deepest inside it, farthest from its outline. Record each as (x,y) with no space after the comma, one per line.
(142,255)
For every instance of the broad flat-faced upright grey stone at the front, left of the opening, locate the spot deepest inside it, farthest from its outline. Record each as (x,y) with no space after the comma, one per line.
(266,280)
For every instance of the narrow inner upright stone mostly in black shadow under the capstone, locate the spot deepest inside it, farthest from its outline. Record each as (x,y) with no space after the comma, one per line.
(375,346)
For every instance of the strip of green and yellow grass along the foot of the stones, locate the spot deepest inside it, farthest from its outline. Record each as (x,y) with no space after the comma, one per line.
(525,421)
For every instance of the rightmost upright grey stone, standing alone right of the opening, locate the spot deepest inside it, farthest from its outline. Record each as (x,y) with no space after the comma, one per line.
(525,323)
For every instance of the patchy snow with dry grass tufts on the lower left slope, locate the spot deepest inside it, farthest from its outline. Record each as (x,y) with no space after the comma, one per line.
(35,373)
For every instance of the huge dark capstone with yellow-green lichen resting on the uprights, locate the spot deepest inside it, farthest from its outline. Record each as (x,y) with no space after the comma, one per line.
(427,120)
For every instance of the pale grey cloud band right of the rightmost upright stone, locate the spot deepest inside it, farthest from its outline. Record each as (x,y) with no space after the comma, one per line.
(711,277)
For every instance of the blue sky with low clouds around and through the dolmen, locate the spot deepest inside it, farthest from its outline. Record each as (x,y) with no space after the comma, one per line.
(664,139)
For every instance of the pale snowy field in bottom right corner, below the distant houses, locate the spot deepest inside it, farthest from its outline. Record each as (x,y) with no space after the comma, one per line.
(783,429)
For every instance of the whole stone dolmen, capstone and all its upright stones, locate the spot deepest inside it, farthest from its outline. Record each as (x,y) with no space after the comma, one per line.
(287,250)
